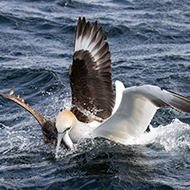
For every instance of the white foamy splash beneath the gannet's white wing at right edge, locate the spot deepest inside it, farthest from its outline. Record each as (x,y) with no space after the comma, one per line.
(174,137)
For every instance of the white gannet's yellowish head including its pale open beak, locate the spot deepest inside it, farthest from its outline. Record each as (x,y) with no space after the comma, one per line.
(64,122)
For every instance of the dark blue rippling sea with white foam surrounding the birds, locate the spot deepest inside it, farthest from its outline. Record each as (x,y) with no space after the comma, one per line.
(150,44)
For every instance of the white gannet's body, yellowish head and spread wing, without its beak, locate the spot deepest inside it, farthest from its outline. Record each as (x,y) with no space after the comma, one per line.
(137,106)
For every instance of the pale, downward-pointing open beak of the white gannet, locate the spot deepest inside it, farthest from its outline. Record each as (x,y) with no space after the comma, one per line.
(66,139)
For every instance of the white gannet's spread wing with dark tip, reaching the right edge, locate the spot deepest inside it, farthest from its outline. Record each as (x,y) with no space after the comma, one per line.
(137,108)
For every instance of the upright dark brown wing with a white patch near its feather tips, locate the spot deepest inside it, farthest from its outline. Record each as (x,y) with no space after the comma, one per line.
(90,76)
